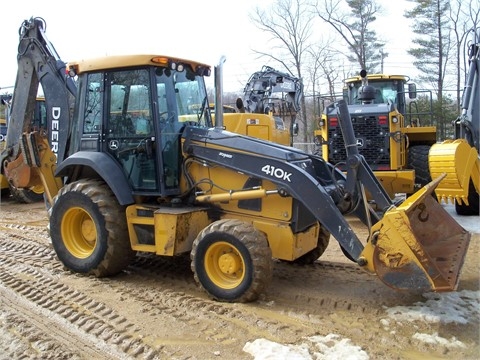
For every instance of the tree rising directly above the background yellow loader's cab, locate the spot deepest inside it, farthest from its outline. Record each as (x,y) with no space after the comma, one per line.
(354,28)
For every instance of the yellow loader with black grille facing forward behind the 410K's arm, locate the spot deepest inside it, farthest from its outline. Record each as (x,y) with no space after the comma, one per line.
(391,134)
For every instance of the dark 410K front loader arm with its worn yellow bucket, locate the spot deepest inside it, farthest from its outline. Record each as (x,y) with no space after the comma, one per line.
(409,260)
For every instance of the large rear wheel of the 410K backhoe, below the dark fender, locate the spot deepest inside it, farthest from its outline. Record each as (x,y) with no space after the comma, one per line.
(89,229)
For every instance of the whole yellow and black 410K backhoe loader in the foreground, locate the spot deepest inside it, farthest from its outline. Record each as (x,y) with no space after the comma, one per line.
(138,167)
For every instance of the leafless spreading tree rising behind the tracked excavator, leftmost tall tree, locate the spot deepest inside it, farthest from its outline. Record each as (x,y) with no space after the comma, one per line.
(289,22)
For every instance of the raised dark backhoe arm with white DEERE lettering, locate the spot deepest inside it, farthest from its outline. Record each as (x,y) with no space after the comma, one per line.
(39,63)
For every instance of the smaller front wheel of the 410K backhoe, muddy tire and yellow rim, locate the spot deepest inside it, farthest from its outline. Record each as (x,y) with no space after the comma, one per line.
(232,261)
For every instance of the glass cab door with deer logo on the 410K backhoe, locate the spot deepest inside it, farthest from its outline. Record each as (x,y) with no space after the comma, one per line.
(129,128)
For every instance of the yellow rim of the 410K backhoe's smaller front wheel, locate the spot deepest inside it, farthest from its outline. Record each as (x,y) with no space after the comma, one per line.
(224,265)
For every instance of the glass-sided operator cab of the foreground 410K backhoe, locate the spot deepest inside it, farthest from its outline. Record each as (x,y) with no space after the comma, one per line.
(136,114)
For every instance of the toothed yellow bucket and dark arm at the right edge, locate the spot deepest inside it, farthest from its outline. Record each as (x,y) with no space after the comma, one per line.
(459,157)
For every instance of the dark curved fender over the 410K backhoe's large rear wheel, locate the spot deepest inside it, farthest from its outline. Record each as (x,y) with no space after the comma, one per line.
(106,169)
